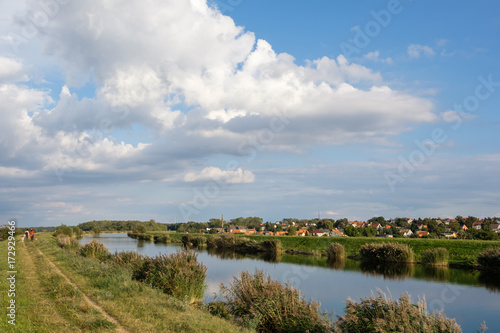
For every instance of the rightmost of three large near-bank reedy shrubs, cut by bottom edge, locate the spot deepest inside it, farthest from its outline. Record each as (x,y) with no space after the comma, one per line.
(379,314)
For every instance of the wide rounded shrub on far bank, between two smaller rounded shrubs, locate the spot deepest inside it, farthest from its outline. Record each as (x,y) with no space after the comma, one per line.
(391,252)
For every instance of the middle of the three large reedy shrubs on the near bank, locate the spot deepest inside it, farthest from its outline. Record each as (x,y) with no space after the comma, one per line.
(257,300)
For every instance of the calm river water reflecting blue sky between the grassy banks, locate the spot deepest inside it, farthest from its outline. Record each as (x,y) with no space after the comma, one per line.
(468,297)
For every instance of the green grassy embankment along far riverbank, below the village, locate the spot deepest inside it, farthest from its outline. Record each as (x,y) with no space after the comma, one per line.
(461,252)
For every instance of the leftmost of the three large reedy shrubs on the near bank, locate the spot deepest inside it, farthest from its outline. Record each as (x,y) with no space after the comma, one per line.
(178,274)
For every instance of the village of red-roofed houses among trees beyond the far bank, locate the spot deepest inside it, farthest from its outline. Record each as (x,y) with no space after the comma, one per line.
(457,228)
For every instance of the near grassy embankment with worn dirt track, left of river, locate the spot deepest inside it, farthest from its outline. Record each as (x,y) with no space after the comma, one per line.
(46,302)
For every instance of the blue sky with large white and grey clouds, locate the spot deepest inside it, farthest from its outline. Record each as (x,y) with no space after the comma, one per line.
(186,110)
